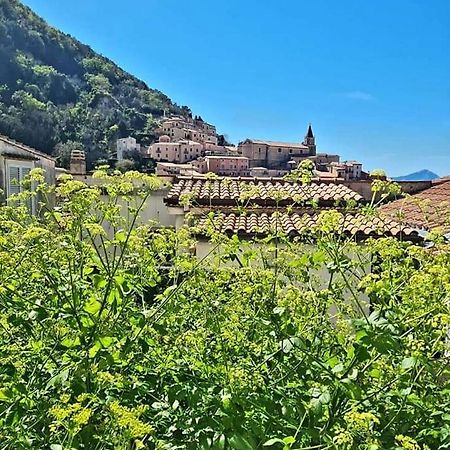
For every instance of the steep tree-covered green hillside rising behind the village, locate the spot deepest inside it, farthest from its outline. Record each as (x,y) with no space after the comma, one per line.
(57,93)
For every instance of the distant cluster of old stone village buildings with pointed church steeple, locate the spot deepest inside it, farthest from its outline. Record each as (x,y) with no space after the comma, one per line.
(191,146)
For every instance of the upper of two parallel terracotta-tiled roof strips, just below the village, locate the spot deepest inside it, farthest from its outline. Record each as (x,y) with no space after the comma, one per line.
(258,191)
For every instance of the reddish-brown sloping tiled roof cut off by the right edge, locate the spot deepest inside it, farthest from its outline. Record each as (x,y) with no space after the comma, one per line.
(428,209)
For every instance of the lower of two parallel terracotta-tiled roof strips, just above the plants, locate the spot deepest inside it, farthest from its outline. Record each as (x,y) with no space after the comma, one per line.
(261,224)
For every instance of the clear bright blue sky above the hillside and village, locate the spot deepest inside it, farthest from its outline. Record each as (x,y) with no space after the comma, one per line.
(373,77)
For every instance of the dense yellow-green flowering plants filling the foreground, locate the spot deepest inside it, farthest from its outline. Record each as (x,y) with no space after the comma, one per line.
(115,336)
